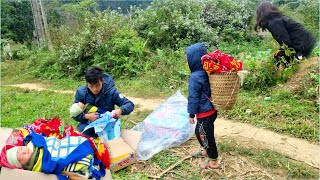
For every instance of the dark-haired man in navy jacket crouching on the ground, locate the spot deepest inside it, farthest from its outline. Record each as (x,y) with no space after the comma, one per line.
(100,91)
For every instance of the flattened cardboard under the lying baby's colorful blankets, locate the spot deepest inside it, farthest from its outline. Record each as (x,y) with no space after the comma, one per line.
(13,174)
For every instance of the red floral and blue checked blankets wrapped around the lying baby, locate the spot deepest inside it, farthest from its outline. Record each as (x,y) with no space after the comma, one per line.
(56,152)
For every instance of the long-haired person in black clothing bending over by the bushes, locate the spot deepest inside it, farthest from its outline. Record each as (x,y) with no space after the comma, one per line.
(286,32)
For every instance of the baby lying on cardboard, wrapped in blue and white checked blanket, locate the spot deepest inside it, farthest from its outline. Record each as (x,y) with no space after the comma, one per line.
(72,156)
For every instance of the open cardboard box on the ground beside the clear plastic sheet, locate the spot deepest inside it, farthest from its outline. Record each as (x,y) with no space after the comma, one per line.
(123,150)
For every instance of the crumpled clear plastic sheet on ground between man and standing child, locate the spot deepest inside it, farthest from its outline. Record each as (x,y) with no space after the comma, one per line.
(167,126)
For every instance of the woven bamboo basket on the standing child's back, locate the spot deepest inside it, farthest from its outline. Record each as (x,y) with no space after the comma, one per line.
(224,89)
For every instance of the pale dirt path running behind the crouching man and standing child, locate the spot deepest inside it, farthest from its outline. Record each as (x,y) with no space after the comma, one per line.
(245,134)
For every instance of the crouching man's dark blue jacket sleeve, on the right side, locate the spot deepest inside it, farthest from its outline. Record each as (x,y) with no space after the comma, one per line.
(123,103)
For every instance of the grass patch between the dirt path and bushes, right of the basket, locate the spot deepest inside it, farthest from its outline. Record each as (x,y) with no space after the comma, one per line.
(284,113)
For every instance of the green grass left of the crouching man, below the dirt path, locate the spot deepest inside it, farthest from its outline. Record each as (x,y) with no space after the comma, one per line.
(21,106)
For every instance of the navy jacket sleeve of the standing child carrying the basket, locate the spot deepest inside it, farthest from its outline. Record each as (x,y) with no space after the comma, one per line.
(194,94)
